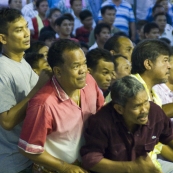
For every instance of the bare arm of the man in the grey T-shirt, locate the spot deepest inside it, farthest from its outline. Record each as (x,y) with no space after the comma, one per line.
(12,117)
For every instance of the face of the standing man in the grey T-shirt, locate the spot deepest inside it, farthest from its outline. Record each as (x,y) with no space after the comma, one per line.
(18,38)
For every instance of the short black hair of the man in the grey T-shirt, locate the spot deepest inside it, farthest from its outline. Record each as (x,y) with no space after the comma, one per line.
(8,15)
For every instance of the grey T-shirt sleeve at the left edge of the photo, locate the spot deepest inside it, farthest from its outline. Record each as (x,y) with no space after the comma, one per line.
(7,96)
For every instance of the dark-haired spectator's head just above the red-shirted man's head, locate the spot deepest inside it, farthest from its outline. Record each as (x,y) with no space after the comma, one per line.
(47,37)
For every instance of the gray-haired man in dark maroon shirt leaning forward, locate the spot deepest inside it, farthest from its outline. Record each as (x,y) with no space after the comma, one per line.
(127,129)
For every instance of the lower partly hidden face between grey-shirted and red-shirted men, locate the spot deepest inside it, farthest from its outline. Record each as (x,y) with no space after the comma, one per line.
(42,64)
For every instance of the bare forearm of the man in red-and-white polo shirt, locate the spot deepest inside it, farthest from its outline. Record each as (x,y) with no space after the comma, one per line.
(48,161)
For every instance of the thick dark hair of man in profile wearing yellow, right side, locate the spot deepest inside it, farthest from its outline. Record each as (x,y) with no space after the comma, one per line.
(147,49)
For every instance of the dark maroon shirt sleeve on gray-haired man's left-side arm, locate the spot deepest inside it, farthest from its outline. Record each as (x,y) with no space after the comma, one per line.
(96,143)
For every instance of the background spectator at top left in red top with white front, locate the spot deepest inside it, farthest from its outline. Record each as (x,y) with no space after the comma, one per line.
(40,20)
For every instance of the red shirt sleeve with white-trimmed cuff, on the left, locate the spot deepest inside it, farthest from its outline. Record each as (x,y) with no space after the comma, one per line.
(37,125)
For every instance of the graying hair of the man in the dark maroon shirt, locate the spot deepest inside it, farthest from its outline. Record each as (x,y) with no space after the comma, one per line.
(125,88)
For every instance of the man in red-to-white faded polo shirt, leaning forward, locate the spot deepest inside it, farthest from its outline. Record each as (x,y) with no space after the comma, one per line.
(52,132)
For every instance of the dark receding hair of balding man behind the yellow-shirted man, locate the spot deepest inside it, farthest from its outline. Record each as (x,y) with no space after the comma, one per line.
(113,43)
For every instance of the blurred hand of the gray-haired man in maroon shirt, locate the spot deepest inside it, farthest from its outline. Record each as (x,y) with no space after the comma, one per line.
(145,165)
